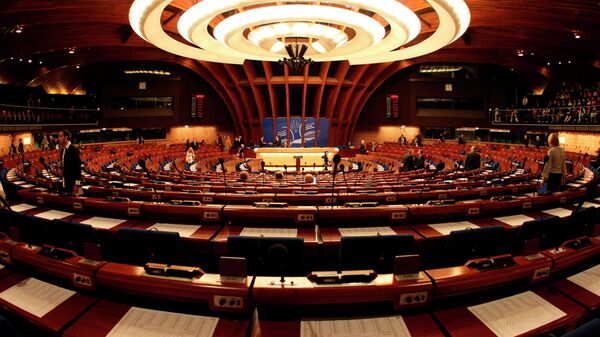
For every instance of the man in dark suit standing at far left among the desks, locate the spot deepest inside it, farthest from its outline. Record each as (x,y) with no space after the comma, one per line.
(70,163)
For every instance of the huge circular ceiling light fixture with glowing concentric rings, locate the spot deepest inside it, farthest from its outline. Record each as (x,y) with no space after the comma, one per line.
(360,31)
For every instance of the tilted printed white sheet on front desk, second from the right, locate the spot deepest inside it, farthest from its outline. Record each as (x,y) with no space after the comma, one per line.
(515,315)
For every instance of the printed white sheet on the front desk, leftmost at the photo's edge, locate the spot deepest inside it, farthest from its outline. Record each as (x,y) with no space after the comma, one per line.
(35,296)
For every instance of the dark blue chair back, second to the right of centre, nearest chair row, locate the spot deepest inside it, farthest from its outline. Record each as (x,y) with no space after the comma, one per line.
(467,244)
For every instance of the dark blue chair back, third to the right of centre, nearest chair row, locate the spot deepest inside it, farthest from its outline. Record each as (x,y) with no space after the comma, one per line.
(547,230)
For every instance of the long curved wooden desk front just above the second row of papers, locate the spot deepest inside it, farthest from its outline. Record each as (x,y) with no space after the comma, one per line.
(247,215)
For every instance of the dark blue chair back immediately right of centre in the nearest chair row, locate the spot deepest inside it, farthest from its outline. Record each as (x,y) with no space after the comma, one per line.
(375,252)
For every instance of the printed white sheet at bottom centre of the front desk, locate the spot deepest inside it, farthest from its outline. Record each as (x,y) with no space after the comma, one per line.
(365,327)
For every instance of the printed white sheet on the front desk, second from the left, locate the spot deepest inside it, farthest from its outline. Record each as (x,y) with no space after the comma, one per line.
(154,323)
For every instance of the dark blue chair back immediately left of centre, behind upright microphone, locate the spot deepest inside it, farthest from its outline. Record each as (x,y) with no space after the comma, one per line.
(269,256)
